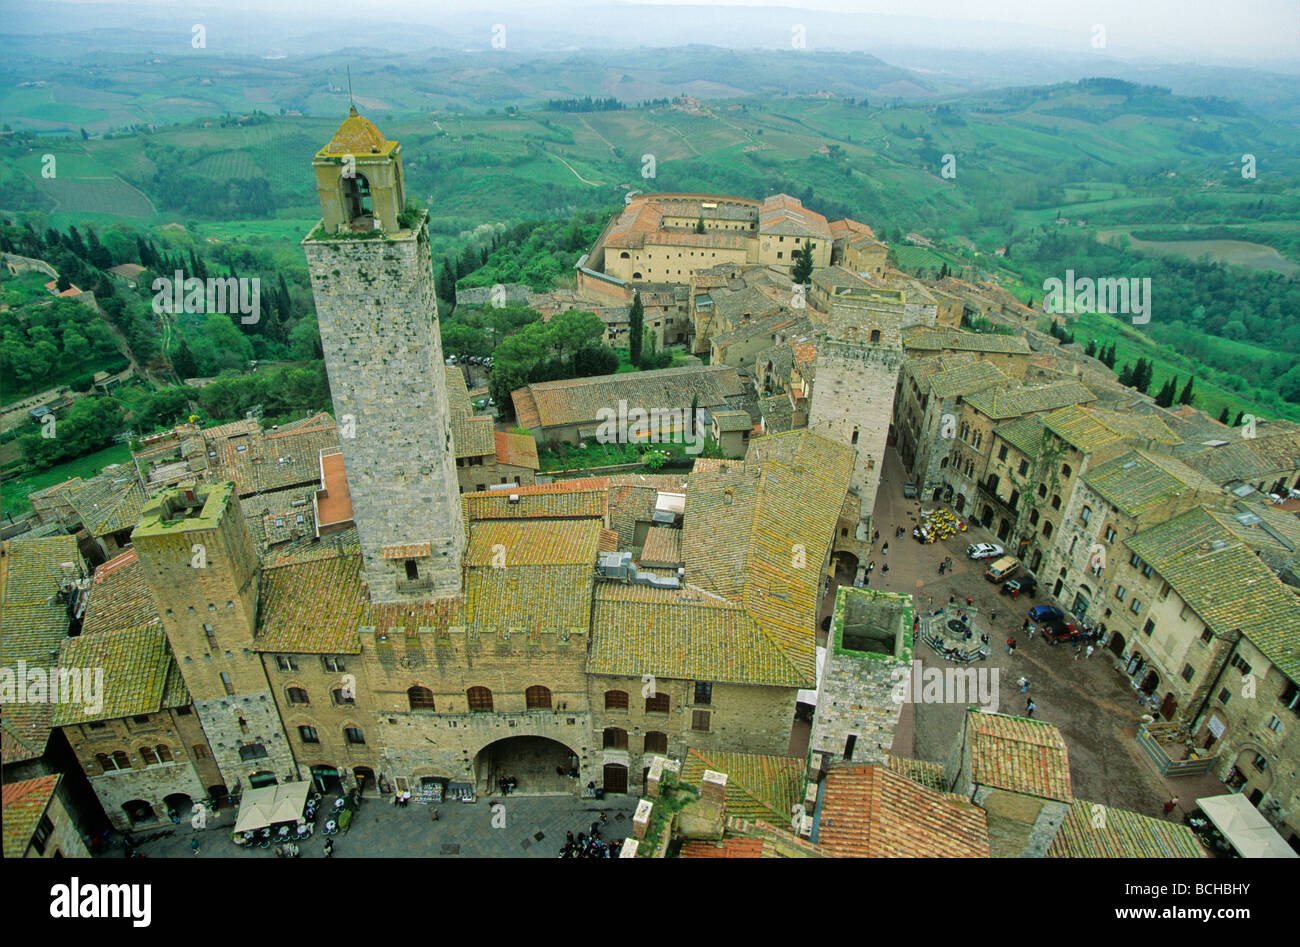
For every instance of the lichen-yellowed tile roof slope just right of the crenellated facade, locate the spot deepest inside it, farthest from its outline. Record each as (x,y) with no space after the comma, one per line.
(660,632)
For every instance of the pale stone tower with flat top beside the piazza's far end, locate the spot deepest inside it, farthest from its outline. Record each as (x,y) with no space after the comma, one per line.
(859,357)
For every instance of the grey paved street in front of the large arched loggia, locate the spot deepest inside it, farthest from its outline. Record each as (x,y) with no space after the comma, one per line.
(463,831)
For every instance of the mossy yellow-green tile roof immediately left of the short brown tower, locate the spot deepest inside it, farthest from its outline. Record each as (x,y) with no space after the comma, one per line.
(137,664)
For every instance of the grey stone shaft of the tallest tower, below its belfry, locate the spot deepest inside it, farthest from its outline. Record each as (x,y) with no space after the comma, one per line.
(379,323)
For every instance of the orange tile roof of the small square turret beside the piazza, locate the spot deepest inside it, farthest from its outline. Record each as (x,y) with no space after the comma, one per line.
(1020,755)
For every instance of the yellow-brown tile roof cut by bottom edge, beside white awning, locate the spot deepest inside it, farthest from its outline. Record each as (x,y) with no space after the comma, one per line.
(1091,831)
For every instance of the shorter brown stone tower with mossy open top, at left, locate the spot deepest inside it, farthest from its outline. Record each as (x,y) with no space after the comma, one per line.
(202,568)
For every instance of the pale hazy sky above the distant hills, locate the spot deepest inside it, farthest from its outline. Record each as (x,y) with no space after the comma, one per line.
(1197,29)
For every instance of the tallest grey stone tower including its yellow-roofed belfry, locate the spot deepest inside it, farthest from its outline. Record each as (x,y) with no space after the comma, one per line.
(372,278)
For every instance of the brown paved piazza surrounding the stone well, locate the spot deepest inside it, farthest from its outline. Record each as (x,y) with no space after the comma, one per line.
(1089,699)
